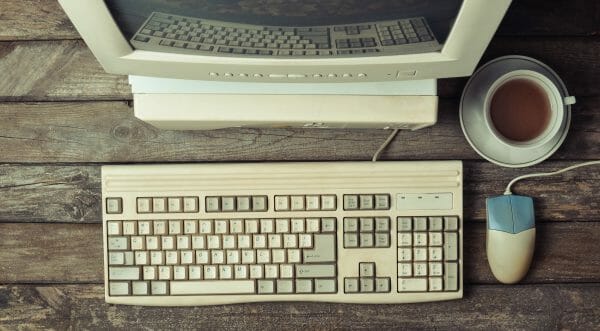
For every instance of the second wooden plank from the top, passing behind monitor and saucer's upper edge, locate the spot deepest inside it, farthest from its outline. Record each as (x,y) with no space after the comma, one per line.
(67,70)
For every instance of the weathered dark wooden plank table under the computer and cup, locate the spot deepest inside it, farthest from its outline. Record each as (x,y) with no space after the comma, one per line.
(62,117)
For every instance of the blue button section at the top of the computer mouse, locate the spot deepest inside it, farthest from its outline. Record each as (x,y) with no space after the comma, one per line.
(510,213)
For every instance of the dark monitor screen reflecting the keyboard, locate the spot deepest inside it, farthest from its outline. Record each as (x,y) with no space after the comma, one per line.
(288,28)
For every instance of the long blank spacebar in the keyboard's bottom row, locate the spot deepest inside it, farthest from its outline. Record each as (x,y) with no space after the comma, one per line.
(212,287)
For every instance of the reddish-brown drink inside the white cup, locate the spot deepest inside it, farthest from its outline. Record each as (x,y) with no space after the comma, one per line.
(520,110)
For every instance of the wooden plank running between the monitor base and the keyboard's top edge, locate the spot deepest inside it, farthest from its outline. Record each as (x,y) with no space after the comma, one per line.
(109,132)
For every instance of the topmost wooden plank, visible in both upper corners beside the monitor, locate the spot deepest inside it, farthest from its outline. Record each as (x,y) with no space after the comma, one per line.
(45,19)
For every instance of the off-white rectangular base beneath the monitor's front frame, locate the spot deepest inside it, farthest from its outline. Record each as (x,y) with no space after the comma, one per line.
(193,105)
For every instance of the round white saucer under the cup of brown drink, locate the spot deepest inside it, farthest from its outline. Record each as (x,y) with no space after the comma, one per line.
(472,117)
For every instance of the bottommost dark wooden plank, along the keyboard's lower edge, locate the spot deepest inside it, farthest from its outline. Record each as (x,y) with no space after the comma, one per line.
(543,307)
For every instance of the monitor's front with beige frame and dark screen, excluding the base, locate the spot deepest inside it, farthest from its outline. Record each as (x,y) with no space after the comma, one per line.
(308,41)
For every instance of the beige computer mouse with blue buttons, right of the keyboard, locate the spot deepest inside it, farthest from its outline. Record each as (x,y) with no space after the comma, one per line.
(510,236)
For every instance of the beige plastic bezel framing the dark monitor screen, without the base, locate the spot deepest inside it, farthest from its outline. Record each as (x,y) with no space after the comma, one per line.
(475,26)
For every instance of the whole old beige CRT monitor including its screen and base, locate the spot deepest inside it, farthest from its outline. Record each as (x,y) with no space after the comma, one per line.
(286,61)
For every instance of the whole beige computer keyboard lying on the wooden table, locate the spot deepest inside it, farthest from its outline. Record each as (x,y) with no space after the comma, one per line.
(355,232)
